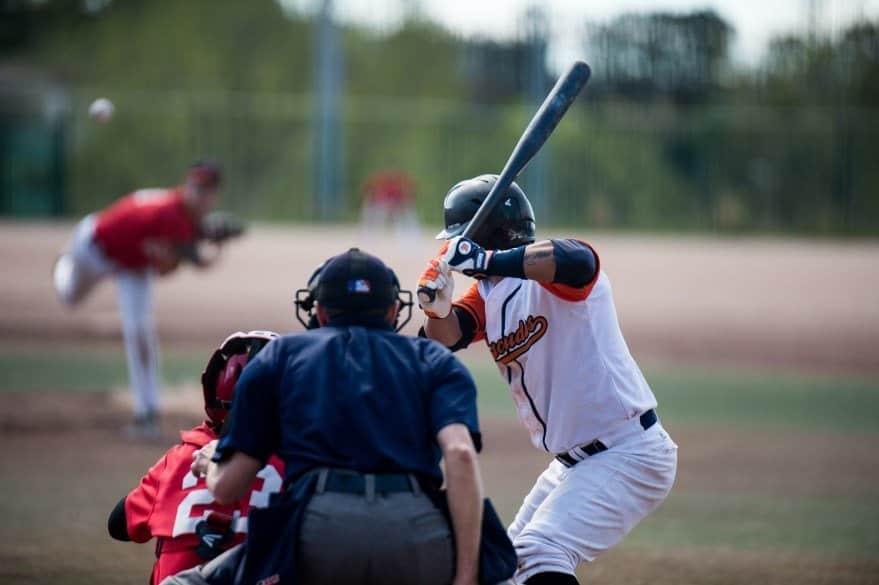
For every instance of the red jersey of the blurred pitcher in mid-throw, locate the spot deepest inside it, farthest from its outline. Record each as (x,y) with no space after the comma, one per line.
(122,228)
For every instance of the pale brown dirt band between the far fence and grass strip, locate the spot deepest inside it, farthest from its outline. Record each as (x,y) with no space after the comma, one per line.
(762,301)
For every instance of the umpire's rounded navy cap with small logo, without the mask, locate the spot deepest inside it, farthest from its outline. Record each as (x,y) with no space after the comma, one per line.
(356,281)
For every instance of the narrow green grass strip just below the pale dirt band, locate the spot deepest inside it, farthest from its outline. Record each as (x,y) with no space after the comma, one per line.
(694,396)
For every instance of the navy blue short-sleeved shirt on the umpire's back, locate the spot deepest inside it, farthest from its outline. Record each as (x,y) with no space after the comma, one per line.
(358,397)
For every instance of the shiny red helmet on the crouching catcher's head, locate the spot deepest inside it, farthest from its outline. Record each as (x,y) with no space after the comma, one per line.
(224,368)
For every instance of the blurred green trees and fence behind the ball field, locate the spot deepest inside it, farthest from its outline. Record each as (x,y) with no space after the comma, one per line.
(670,134)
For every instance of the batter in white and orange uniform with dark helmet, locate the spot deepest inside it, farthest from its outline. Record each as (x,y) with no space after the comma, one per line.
(546,311)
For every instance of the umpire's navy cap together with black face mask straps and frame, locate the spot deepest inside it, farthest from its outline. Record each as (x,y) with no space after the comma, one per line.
(358,282)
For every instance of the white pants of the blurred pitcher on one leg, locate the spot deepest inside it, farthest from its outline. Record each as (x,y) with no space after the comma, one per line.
(82,266)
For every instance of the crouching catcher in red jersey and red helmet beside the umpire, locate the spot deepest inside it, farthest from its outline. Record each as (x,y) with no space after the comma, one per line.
(174,506)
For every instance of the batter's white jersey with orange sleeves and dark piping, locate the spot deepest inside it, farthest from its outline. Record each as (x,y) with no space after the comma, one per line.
(562,353)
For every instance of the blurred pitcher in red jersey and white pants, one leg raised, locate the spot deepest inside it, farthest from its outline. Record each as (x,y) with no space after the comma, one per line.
(143,234)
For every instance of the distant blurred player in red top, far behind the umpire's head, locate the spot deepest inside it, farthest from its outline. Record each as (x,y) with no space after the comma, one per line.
(389,202)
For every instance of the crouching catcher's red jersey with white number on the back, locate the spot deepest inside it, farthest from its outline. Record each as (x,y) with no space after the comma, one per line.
(170,502)
